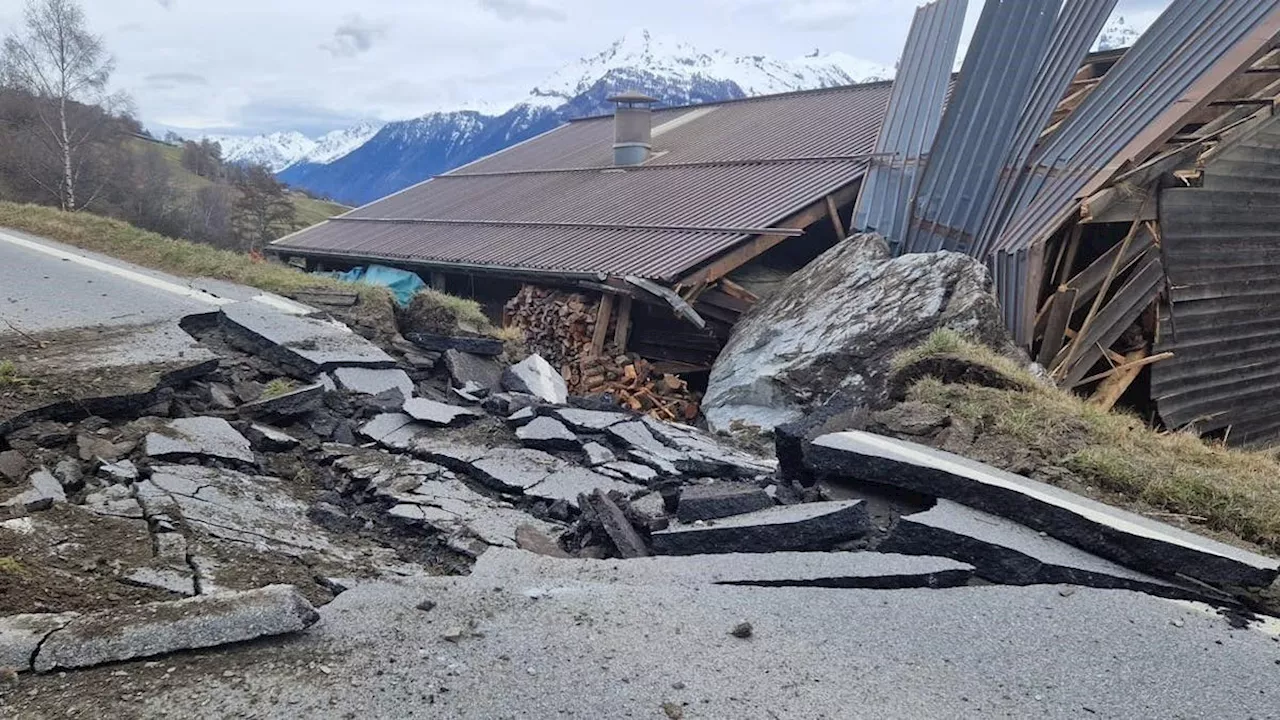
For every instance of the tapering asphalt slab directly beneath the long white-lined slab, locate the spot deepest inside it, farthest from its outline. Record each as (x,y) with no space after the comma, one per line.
(1003,552)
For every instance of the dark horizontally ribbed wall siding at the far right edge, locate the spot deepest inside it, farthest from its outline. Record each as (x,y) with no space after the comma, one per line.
(1222,247)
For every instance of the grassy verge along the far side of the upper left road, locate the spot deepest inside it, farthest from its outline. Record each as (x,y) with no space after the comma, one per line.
(152,250)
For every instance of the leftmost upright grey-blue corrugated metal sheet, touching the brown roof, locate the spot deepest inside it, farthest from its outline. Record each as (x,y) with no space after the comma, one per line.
(915,116)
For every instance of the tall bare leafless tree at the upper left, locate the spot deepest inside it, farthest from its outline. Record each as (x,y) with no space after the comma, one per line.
(57,60)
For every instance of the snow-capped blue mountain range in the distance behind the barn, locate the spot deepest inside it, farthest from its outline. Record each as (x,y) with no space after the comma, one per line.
(360,165)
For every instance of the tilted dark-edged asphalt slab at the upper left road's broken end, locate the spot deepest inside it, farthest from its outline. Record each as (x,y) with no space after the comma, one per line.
(308,345)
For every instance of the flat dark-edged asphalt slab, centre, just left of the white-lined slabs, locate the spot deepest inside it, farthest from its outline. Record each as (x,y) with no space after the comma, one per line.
(815,526)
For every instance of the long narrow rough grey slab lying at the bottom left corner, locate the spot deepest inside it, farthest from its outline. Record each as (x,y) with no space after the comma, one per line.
(158,628)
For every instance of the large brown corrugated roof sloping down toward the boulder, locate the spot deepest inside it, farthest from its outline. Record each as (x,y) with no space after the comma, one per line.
(720,175)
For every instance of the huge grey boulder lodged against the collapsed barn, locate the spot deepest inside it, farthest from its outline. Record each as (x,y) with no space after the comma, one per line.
(838,323)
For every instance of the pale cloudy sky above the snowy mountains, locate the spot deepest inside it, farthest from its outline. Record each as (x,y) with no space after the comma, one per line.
(244,67)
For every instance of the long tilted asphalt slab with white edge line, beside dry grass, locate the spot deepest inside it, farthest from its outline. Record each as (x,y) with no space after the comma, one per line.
(1121,536)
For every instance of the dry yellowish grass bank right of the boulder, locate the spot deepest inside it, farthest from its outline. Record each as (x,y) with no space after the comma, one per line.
(1232,491)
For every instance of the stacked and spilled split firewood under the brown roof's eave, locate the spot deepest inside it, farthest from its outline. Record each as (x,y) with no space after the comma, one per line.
(561,327)
